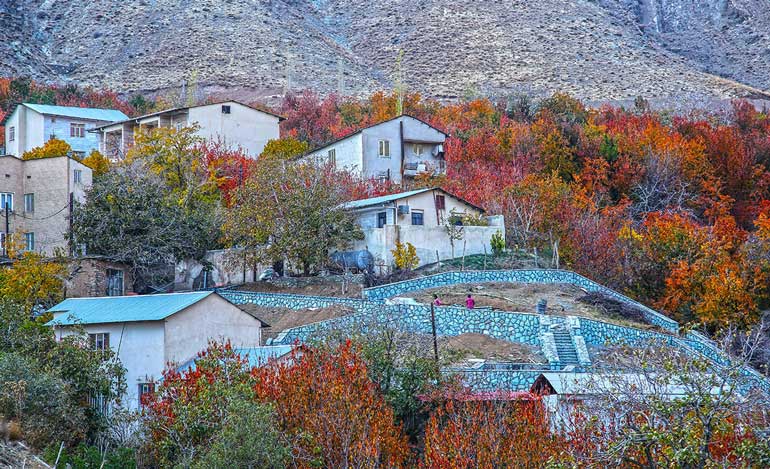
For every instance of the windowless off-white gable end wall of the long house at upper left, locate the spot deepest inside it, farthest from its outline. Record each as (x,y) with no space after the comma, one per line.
(244,127)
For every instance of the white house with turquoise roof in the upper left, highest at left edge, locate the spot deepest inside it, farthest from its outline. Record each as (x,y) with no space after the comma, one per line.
(29,126)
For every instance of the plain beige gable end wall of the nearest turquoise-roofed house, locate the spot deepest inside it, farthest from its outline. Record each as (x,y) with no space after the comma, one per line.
(213,318)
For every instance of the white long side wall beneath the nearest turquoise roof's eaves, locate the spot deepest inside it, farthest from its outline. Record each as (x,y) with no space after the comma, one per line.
(139,346)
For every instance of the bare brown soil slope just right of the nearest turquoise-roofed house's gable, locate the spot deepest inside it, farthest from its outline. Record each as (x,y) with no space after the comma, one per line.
(280,319)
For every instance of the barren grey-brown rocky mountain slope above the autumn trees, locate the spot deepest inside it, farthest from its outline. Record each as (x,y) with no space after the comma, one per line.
(597,50)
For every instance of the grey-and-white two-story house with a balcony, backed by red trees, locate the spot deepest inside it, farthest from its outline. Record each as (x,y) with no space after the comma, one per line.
(395,150)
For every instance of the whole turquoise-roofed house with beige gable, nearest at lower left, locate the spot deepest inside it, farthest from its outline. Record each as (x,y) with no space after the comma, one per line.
(147,332)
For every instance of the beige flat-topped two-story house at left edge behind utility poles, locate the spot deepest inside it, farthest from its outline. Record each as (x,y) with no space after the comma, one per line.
(39,195)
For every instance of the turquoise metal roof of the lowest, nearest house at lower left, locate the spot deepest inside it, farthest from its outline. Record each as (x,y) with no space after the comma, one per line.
(109,309)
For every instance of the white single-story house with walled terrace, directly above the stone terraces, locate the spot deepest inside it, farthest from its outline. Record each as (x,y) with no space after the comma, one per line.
(424,218)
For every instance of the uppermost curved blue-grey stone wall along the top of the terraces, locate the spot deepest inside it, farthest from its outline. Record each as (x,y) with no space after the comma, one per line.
(514,276)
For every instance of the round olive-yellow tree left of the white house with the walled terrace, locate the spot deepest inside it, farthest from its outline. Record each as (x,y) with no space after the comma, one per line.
(288,210)
